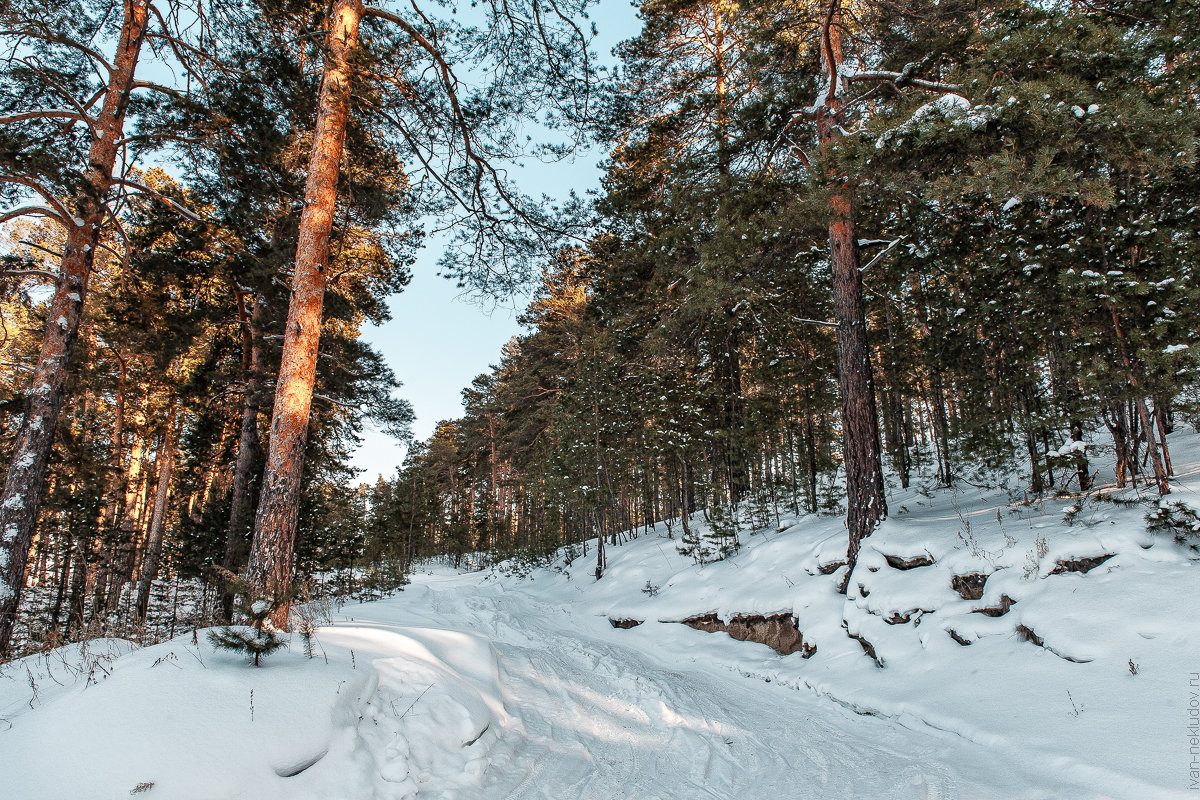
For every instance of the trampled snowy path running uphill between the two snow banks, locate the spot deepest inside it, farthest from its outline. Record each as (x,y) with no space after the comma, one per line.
(596,714)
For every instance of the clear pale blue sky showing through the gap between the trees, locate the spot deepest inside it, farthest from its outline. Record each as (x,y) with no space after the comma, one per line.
(439,341)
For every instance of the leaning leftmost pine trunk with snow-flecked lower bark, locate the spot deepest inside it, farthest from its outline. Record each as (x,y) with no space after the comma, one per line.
(22,494)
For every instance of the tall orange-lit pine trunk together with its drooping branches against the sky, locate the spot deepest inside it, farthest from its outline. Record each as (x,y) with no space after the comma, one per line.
(545,73)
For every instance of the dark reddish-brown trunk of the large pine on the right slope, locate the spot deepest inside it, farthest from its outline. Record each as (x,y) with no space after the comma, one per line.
(866,506)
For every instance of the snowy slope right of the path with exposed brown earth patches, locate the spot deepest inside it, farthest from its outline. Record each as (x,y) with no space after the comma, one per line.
(1072,664)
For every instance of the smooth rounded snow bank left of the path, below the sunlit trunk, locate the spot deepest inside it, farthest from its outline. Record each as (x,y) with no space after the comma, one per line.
(375,714)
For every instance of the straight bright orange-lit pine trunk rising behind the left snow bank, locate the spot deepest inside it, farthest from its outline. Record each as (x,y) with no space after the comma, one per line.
(272,555)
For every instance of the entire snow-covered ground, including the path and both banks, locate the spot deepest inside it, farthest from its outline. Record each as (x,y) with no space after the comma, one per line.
(493,685)
